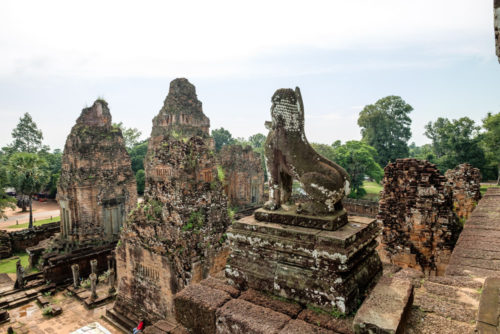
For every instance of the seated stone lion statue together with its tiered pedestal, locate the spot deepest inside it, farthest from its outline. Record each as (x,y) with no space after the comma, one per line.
(309,251)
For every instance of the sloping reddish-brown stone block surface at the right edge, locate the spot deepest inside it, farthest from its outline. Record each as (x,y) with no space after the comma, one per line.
(477,252)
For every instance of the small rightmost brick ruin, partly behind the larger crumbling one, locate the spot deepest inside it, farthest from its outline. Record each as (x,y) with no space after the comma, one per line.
(465,182)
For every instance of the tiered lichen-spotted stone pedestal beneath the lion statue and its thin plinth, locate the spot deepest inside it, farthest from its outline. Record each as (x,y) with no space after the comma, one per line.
(322,267)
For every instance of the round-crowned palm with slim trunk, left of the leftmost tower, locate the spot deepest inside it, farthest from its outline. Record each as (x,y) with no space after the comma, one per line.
(28,174)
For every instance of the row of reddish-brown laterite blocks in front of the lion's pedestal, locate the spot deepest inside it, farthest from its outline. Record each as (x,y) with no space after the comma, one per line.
(212,307)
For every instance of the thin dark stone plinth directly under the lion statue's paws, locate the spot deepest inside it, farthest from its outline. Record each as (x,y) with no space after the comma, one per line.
(290,217)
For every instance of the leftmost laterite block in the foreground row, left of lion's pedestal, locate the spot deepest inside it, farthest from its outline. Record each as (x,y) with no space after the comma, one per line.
(195,307)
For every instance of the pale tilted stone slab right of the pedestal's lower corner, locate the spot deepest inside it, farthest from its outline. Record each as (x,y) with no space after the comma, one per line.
(386,308)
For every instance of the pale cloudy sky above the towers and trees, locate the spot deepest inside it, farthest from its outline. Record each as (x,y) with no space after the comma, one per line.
(56,57)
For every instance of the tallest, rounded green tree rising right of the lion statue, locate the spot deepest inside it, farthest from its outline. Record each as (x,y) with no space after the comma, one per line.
(385,126)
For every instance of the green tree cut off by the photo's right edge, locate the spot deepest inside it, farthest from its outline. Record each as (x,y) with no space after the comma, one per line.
(491,144)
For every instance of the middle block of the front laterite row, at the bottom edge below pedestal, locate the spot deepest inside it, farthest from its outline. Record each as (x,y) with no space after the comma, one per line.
(240,316)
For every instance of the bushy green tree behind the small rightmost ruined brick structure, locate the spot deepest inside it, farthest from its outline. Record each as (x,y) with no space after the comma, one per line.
(455,142)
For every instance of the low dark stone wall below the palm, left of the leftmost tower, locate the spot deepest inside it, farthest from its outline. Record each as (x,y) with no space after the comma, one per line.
(23,239)
